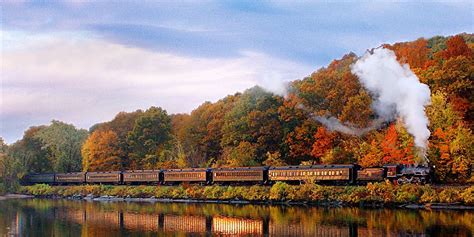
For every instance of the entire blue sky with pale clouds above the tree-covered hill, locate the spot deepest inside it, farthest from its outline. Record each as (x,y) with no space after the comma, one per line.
(83,62)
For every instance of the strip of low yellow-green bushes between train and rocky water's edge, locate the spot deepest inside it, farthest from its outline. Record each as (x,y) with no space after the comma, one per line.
(378,193)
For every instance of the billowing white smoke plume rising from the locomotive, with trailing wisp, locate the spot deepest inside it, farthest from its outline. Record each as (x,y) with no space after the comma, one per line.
(396,91)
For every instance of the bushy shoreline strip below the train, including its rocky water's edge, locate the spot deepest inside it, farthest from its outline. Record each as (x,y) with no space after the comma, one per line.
(379,195)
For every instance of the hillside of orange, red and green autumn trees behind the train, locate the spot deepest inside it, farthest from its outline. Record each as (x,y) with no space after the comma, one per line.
(257,127)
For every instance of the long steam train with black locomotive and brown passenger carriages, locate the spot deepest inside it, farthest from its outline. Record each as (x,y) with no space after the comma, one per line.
(322,174)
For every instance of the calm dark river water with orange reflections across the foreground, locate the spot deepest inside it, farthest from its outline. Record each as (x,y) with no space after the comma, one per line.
(37,217)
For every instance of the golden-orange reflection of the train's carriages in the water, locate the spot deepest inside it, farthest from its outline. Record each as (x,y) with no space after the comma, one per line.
(217,225)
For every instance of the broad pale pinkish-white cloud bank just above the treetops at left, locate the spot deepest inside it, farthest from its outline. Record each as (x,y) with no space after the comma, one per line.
(85,80)
